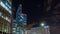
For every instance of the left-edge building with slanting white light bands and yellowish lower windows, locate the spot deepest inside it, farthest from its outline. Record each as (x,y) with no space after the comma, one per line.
(5,17)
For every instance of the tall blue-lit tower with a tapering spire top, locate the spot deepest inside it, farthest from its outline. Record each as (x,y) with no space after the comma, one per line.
(19,23)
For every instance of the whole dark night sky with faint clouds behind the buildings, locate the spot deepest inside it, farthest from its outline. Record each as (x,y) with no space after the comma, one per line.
(36,11)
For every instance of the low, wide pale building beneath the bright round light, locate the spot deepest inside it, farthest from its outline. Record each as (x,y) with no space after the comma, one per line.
(39,30)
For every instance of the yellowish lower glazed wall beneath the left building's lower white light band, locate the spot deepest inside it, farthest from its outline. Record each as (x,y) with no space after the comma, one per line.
(5,27)
